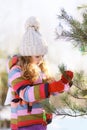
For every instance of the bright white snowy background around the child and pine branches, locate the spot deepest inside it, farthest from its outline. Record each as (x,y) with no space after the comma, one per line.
(13,14)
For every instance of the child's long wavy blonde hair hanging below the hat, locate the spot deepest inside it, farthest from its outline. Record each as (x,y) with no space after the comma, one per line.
(31,71)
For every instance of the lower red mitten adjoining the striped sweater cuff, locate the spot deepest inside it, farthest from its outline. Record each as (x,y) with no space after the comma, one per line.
(56,86)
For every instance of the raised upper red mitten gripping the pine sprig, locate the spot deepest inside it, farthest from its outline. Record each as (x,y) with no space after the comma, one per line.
(67,76)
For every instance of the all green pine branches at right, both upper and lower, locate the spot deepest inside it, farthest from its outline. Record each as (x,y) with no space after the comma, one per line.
(74,102)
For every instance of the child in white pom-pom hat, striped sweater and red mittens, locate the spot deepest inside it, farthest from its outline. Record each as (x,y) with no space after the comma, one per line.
(30,82)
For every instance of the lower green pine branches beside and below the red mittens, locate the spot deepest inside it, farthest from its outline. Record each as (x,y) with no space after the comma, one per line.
(72,103)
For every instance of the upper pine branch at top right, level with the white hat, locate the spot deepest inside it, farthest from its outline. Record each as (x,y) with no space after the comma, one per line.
(76,32)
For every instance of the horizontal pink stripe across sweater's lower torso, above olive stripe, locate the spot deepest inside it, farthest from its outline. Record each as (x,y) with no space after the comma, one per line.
(34,111)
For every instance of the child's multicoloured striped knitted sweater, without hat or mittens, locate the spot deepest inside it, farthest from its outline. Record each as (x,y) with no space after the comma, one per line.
(20,116)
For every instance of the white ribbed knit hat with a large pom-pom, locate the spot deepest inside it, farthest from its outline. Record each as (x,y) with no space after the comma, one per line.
(33,44)
